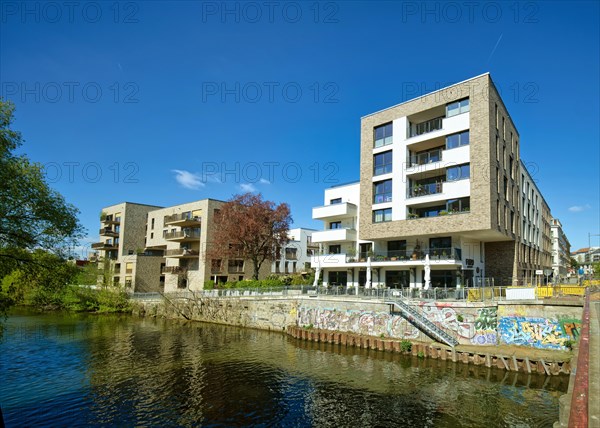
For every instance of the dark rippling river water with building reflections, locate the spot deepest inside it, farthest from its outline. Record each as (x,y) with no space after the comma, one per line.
(81,370)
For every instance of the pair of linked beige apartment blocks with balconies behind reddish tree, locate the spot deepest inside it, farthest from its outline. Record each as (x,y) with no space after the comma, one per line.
(149,248)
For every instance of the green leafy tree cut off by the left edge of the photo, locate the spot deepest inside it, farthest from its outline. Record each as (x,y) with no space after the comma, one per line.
(37,225)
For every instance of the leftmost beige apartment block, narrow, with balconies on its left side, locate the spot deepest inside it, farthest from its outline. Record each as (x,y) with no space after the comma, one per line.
(122,258)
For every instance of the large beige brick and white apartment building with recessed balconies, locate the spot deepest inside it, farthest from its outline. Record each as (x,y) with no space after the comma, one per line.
(441,183)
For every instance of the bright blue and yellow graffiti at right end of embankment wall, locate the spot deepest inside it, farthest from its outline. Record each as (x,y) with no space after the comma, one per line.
(535,332)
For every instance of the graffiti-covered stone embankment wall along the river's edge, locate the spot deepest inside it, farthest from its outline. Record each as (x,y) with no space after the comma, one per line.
(525,337)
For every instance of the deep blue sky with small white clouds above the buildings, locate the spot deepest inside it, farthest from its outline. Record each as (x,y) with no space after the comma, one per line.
(169,102)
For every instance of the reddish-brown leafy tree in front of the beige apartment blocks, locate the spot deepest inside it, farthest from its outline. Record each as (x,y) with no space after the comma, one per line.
(250,228)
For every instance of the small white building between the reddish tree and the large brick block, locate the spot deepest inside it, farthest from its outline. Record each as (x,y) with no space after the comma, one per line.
(295,256)
